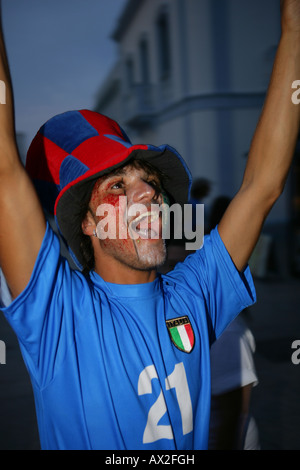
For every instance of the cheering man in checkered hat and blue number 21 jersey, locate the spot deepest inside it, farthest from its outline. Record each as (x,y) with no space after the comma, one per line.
(119,357)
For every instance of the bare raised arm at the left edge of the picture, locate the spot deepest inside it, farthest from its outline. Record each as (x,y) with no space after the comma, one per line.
(22,223)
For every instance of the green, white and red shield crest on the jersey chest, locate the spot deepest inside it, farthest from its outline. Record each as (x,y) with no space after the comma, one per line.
(181,333)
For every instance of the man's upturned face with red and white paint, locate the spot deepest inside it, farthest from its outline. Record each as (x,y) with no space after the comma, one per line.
(128,226)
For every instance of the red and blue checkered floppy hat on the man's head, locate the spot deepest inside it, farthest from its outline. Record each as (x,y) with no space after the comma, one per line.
(73,149)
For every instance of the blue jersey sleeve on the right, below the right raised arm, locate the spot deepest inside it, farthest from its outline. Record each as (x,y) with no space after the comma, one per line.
(211,276)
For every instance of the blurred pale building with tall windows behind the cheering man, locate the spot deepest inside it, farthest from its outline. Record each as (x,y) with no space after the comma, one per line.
(193,74)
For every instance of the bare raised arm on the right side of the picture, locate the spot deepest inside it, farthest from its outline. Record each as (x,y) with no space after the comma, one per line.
(272,146)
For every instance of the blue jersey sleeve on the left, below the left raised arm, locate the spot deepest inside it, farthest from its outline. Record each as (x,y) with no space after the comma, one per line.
(37,314)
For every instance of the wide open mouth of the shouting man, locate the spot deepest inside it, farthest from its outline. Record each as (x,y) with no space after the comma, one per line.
(145,226)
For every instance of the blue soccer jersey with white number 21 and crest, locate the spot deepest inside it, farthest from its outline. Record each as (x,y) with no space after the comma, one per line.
(125,366)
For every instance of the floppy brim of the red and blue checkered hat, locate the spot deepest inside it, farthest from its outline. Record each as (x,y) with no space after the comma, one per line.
(70,202)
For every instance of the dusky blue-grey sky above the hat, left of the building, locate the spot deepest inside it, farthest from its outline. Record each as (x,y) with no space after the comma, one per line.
(59,51)
